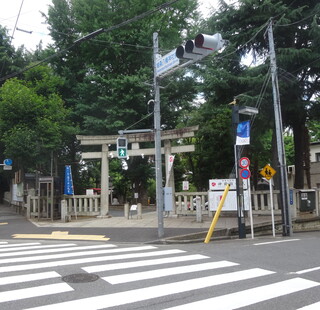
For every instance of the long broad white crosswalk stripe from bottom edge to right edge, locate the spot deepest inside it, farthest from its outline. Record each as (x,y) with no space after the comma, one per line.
(250,296)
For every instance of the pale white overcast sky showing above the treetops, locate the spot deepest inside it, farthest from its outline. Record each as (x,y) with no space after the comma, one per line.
(30,20)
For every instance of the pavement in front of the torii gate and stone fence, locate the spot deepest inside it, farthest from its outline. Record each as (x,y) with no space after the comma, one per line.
(118,228)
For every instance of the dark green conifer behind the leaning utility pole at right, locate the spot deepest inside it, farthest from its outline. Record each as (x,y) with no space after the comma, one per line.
(297,36)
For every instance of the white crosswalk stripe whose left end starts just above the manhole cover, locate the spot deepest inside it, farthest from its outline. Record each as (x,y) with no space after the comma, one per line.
(142,263)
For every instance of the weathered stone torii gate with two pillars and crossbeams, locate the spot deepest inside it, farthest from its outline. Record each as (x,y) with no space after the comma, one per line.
(134,139)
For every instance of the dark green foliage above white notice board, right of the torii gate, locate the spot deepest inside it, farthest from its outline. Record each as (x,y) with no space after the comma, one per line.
(214,155)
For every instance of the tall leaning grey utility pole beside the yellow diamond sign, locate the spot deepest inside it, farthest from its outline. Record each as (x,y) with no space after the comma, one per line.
(284,188)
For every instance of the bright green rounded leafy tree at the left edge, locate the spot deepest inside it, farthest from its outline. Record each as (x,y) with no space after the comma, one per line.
(33,120)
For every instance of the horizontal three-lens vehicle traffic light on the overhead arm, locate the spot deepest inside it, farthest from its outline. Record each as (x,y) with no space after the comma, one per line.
(201,46)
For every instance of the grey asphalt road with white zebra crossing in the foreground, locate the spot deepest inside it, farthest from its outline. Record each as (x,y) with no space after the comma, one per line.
(263,273)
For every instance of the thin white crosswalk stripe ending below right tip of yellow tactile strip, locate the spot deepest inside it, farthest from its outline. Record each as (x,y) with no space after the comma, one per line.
(56,250)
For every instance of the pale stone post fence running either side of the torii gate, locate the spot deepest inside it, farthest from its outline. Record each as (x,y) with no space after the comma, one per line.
(89,205)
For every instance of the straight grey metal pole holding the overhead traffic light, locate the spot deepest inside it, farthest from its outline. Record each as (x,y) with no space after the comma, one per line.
(157,138)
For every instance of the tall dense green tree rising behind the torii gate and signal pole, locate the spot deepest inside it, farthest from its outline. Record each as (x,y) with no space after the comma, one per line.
(105,78)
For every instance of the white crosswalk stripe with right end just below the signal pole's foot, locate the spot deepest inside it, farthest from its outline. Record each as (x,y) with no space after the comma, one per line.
(72,254)
